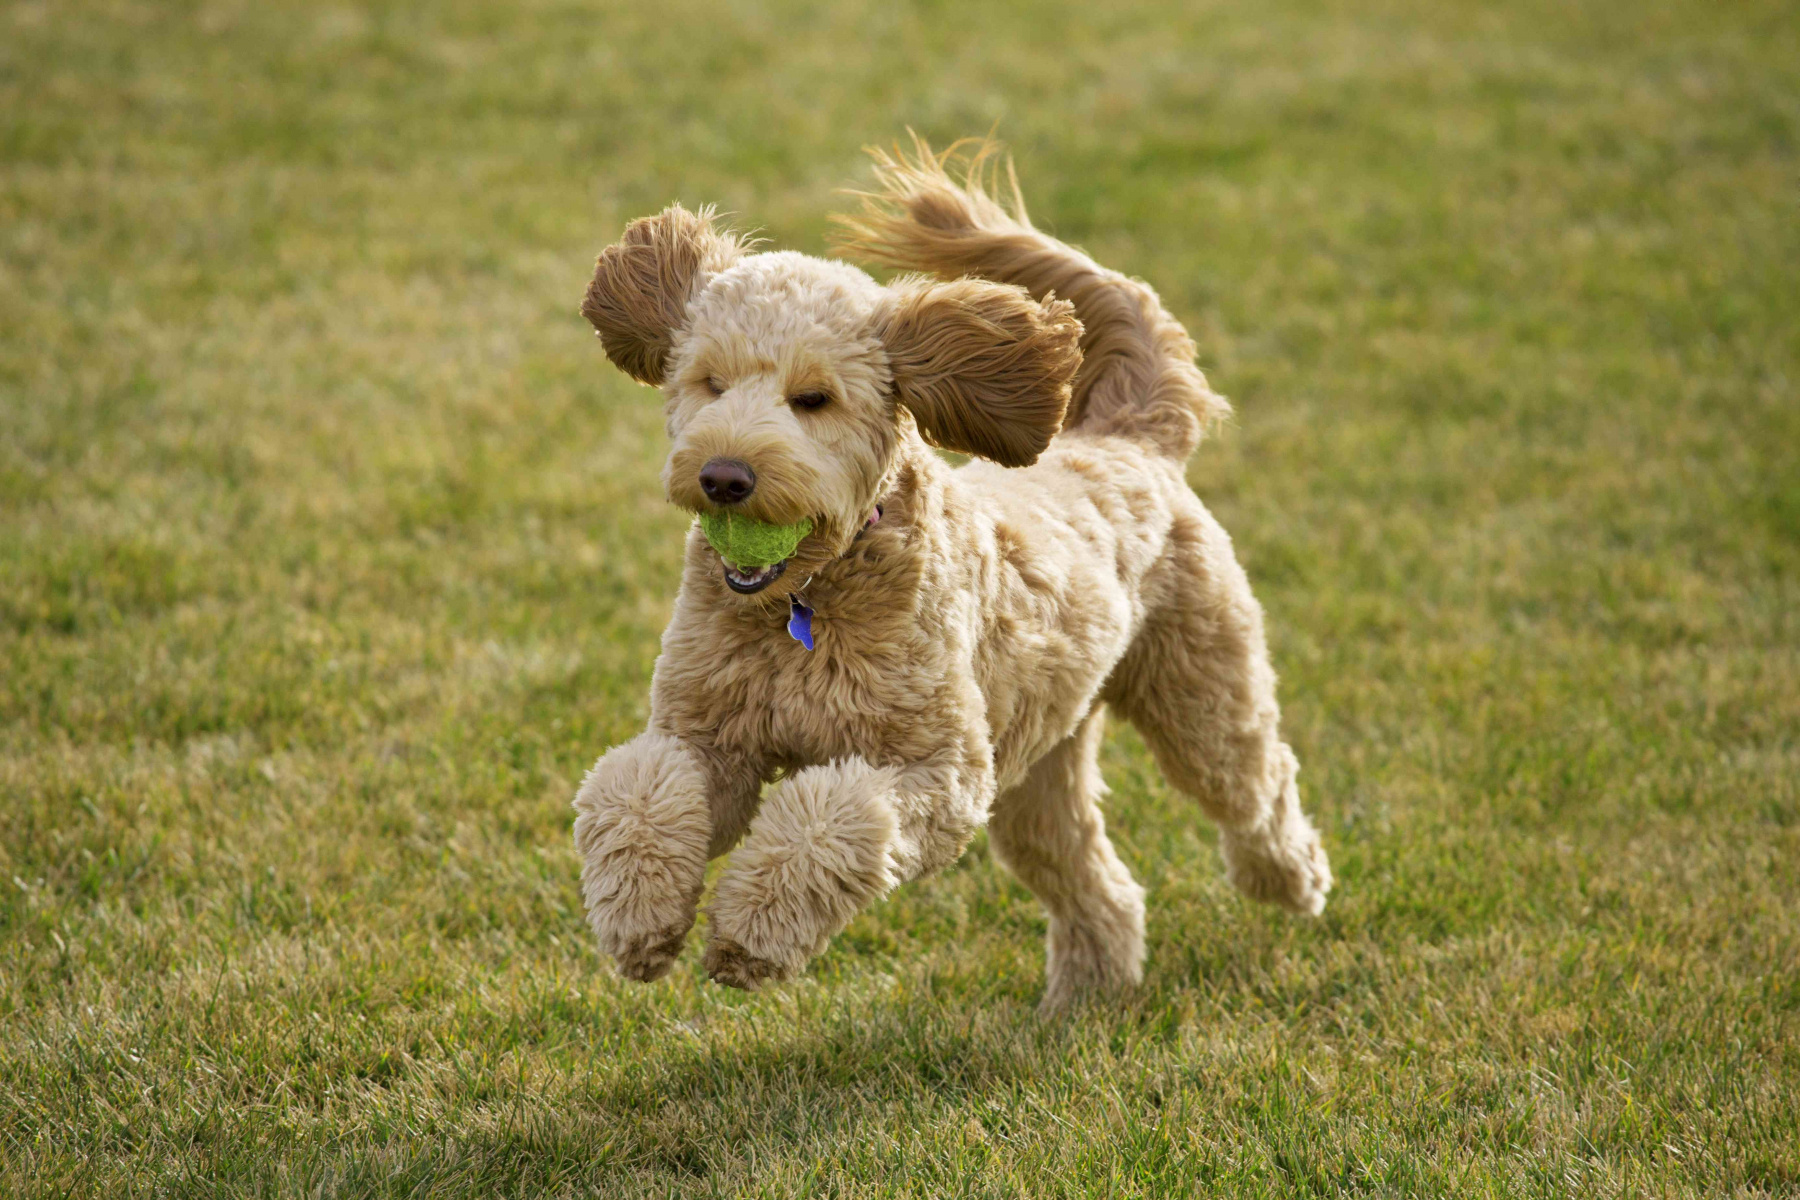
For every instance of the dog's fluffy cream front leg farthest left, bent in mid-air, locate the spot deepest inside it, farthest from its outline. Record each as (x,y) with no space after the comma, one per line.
(649,818)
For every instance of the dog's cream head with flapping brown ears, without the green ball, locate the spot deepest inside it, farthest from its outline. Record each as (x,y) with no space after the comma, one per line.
(789,381)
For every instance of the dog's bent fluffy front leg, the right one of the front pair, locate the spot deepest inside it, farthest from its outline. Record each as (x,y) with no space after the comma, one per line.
(827,843)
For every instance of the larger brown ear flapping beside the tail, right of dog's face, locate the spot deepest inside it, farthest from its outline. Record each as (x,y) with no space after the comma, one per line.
(982,366)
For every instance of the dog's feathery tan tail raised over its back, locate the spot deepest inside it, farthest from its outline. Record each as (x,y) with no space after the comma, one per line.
(1138,377)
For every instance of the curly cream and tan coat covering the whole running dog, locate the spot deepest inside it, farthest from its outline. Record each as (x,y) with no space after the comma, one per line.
(967,643)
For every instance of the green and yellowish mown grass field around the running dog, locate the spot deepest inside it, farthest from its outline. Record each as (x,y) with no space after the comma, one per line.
(332,553)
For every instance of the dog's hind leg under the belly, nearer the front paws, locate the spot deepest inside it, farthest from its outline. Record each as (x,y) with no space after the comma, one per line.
(1048,830)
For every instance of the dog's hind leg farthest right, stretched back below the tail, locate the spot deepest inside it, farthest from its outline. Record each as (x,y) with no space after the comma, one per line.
(1200,688)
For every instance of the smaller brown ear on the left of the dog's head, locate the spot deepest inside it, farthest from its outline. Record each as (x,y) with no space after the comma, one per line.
(645,282)
